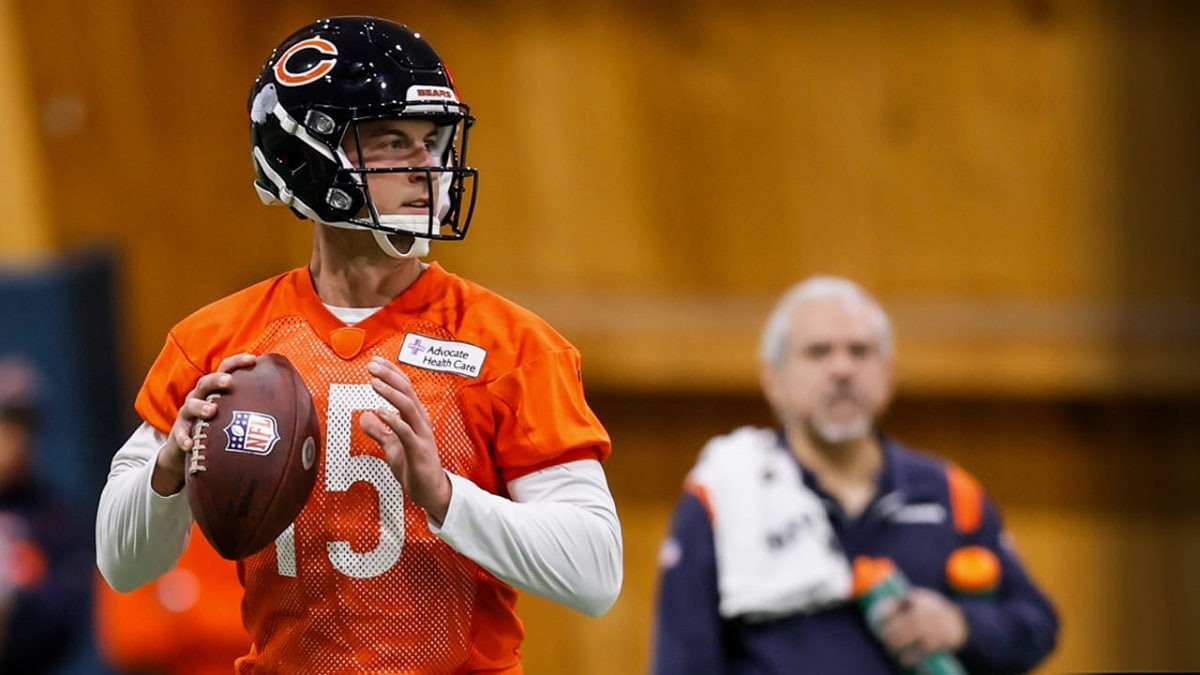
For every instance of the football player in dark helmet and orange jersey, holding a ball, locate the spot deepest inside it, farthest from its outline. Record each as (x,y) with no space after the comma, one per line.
(461,461)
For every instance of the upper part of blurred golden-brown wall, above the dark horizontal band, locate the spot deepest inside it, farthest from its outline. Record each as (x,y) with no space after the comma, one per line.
(964,156)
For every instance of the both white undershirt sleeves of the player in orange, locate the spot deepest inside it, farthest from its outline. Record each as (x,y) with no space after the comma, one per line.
(559,536)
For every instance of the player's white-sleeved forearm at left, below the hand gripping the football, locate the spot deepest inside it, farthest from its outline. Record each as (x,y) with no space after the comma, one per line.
(140,535)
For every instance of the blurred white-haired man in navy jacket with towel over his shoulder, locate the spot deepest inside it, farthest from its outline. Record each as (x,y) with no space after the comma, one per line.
(758,572)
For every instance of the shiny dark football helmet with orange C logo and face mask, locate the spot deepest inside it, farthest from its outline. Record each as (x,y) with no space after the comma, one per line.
(315,89)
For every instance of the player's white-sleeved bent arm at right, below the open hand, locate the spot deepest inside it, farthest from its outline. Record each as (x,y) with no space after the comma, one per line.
(560,540)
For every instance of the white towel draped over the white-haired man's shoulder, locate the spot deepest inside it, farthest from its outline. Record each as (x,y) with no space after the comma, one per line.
(777,553)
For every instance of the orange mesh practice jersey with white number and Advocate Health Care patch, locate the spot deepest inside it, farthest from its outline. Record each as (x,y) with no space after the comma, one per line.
(358,583)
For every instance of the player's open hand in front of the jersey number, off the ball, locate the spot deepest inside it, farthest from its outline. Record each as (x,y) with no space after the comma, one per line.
(406,437)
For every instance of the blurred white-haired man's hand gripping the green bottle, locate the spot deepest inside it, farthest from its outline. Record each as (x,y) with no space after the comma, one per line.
(926,623)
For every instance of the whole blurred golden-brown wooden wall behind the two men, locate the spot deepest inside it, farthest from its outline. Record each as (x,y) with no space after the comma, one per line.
(1016,180)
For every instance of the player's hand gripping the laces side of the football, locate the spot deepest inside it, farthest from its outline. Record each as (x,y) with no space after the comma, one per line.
(169,473)
